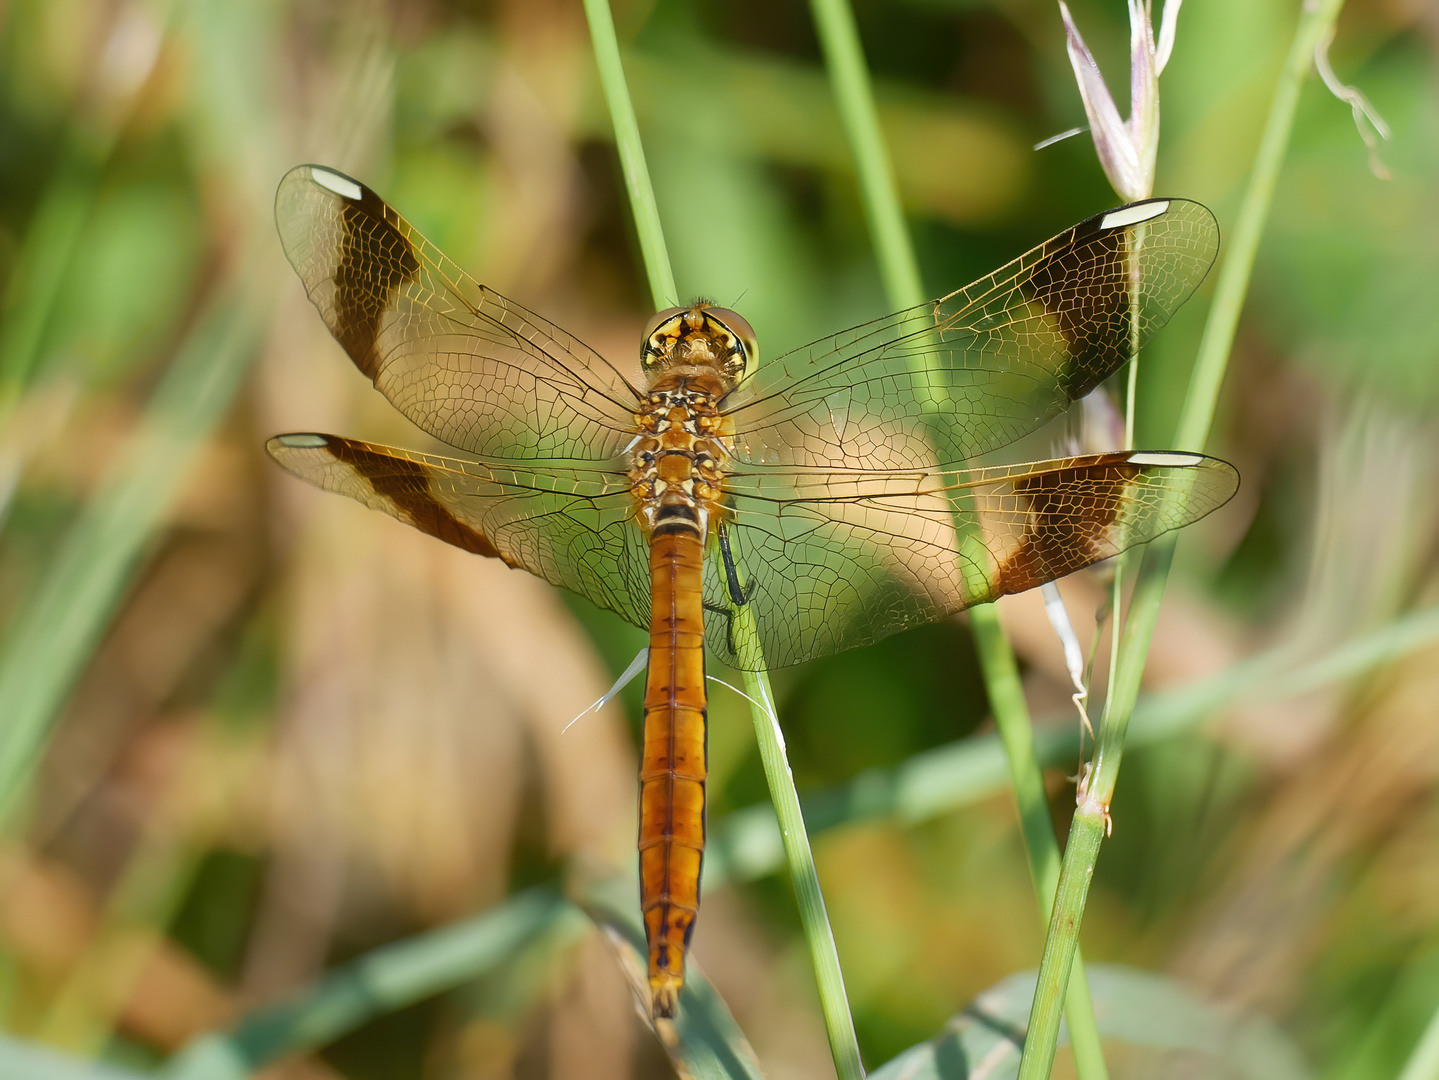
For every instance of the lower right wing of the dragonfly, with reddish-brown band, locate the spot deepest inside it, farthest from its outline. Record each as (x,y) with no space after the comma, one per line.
(831,562)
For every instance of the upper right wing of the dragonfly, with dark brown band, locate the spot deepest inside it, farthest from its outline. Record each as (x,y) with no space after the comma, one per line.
(973,372)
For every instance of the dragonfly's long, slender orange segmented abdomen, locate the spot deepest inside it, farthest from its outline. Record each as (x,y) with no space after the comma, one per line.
(674,763)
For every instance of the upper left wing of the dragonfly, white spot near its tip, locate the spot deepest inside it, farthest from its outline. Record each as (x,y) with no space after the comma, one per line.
(461,362)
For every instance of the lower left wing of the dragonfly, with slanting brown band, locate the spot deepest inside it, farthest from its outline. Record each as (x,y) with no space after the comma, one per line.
(571,527)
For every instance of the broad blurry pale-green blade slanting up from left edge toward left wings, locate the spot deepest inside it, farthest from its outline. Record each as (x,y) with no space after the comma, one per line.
(57,631)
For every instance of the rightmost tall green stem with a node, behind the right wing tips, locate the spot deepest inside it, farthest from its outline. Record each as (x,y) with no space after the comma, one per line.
(1091,819)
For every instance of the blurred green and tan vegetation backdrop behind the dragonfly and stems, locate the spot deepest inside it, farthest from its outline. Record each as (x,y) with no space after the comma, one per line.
(250,733)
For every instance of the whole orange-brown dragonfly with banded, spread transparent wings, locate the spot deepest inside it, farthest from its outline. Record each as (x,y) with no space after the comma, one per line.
(768,514)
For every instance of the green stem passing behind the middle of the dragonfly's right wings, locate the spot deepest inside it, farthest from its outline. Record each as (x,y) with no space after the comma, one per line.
(904,287)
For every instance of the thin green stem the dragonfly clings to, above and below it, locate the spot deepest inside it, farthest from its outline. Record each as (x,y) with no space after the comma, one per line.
(801,859)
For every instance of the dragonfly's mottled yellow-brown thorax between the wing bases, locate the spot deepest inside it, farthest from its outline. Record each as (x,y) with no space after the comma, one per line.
(680,455)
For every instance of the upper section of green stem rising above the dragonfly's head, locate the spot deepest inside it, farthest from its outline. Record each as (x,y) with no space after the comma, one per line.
(632,155)
